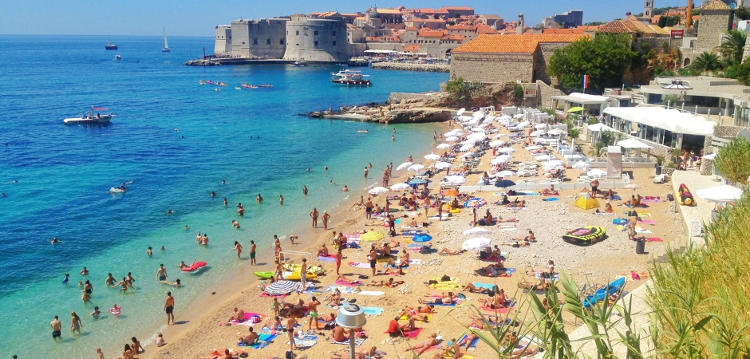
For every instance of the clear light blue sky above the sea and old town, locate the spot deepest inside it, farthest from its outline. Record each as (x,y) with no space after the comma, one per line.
(198,17)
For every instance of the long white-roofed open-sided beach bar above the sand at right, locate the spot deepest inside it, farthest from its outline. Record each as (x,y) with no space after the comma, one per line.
(660,127)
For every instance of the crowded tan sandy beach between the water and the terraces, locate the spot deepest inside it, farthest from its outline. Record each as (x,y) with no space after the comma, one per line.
(202,327)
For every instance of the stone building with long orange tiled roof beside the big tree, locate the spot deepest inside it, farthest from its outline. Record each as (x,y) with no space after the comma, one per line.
(508,58)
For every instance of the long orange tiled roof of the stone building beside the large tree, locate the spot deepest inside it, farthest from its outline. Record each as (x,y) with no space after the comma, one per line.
(514,43)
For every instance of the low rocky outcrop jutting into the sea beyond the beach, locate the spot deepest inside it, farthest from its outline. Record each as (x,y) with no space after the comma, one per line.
(399,108)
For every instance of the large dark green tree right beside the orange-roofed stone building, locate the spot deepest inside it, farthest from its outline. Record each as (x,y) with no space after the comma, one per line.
(604,59)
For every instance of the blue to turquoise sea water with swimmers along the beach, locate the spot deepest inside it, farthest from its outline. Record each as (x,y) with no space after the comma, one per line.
(176,141)
